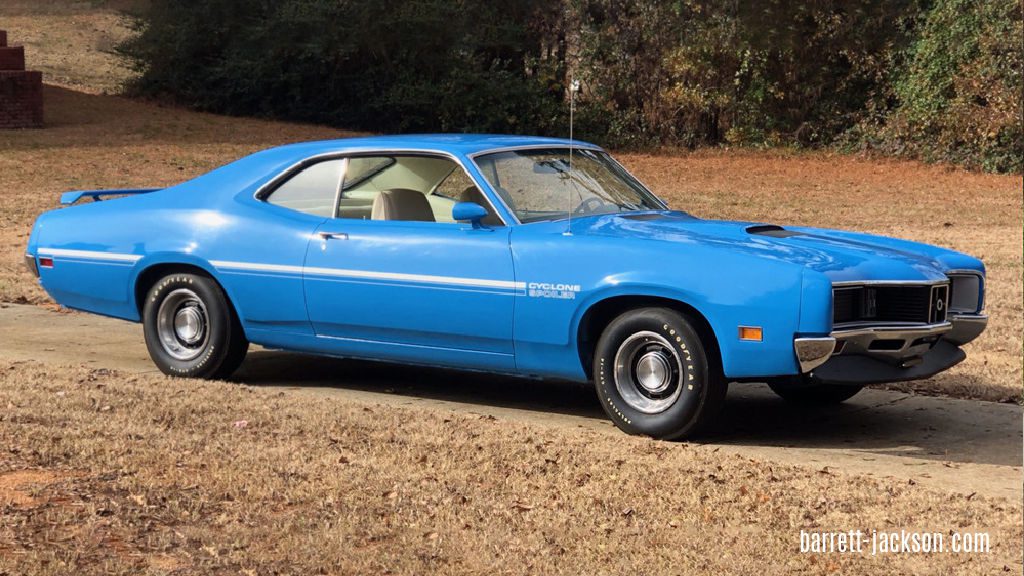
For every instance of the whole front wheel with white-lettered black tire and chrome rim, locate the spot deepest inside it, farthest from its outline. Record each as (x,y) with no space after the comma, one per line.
(657,348)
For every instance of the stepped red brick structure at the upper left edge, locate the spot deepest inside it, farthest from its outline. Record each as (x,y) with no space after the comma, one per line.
(21,91)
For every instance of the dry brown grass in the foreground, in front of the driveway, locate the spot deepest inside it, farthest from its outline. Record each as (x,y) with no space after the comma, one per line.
(131,475)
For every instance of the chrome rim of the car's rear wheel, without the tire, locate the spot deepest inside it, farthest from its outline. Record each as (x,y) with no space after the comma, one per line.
(184,325)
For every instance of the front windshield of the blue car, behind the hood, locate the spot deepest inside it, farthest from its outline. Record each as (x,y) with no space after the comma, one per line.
(538,185)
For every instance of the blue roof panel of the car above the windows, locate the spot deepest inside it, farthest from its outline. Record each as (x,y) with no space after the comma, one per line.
(465,145)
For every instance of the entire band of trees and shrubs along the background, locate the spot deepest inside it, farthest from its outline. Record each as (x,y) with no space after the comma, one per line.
(940,80)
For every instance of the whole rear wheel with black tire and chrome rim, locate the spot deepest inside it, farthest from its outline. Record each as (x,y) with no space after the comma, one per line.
(191,328)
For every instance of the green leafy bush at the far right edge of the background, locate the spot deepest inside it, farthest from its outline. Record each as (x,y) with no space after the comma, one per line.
(959,98)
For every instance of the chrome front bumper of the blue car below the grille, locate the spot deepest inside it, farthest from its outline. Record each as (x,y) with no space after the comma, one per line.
(903,347)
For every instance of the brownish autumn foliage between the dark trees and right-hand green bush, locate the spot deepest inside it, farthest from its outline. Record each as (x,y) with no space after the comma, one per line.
(762,72)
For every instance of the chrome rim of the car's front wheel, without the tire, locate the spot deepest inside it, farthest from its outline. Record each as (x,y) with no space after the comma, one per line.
(648,373)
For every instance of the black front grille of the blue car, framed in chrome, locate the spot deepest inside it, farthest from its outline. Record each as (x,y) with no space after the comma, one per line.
(924,305)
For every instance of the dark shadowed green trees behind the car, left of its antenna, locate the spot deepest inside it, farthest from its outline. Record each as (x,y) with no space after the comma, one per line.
(387,65)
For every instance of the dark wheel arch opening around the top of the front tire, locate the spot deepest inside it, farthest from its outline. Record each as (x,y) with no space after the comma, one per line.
(600,314)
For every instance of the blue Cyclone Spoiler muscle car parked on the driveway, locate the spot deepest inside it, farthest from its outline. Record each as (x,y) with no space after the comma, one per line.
(541,258)
